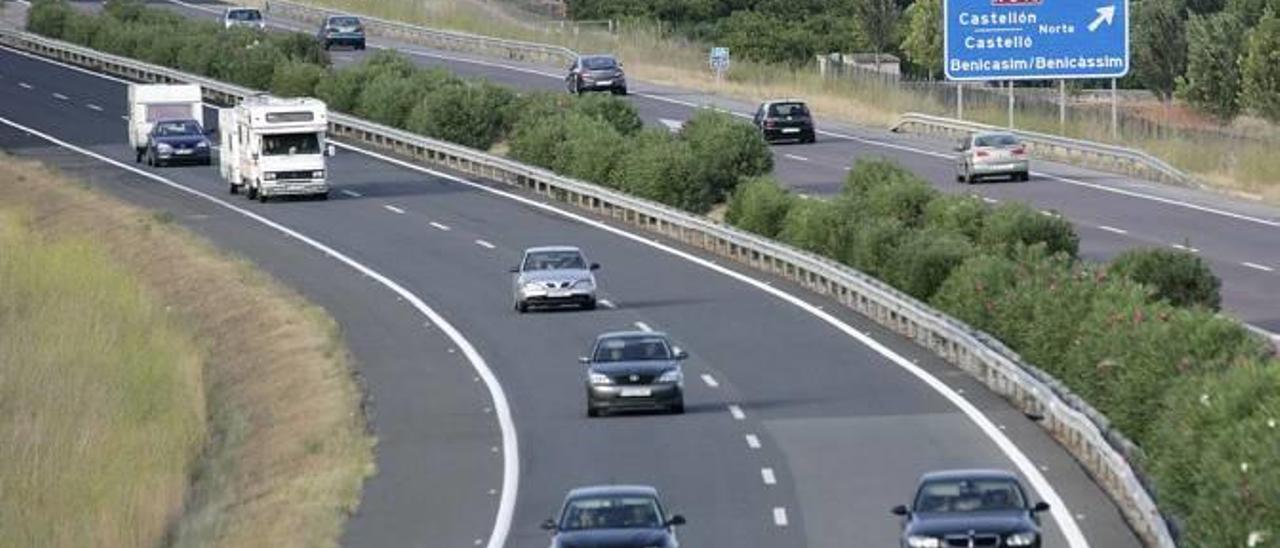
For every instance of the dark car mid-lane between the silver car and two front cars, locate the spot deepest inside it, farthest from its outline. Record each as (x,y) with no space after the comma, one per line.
(634,371)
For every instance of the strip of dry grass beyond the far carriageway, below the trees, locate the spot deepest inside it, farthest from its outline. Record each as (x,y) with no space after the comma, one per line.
(1238,166)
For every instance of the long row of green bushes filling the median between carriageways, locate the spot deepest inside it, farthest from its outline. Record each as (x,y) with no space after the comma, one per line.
(1139,339)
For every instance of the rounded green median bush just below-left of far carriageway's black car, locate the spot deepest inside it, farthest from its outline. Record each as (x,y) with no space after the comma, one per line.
(728,152)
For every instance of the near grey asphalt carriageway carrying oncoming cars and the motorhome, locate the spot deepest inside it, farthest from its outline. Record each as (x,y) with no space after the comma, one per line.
(801,431)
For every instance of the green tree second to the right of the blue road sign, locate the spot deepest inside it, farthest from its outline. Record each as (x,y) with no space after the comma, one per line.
(1214,48)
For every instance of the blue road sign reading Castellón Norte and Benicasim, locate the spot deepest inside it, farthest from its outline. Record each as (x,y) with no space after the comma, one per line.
(1036,39)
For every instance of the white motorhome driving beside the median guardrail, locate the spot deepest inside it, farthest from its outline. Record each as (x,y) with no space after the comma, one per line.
(275,147)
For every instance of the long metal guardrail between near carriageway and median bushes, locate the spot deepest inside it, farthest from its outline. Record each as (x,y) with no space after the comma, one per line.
(1069,421)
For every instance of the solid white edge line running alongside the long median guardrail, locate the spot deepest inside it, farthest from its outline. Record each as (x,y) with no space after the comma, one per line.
(1058,508)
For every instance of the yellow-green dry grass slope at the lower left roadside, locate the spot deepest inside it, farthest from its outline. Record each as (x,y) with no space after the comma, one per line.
(156,392)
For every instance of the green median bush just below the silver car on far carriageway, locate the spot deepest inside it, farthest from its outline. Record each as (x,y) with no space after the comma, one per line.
(1013,225)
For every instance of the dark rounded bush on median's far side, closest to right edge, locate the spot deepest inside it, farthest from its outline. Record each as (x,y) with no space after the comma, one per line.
(1182,278)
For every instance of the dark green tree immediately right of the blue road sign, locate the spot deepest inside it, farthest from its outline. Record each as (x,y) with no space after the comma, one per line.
(1159,45)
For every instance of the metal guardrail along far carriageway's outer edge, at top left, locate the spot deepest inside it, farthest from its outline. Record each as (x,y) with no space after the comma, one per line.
(436,39)
